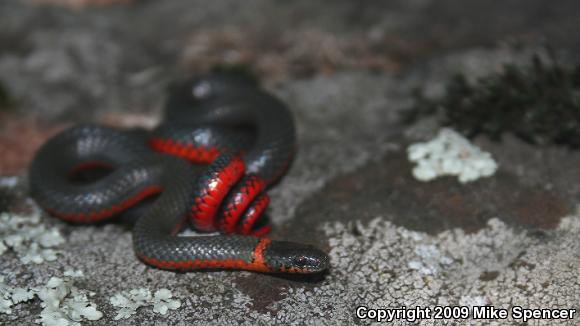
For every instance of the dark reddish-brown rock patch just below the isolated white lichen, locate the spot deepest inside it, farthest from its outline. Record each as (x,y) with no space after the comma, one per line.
(387,189)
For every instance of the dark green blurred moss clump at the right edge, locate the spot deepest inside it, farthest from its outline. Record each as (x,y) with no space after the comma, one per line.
(539,103)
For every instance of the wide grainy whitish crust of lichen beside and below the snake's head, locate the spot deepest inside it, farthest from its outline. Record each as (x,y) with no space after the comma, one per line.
(370,267)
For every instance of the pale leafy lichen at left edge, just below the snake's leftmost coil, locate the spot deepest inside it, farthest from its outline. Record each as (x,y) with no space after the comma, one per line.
(31,240)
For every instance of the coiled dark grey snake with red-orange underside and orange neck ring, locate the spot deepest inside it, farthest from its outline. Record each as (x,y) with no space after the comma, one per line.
(221,143)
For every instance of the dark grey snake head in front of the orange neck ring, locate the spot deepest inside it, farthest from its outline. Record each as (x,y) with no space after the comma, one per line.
(290,257)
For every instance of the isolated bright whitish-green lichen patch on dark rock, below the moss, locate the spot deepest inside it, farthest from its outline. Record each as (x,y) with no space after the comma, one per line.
(450,154)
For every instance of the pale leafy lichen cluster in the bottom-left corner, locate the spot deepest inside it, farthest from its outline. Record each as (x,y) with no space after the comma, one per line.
(63,303)
